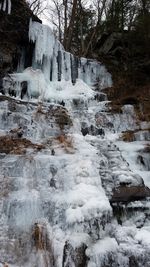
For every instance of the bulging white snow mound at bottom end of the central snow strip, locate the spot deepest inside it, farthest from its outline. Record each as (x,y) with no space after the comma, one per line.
(90,201)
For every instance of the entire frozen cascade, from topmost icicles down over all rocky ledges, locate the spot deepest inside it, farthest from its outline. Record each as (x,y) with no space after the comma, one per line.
(68,196)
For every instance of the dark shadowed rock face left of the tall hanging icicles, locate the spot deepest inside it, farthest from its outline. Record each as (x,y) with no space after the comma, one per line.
(14,36)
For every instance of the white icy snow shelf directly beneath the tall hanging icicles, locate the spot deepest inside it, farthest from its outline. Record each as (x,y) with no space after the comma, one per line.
(39,87)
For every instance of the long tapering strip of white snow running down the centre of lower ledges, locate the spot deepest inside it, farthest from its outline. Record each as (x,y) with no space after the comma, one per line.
(83,194)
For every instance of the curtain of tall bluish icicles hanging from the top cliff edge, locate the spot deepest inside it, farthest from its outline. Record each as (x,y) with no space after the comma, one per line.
(57,64)
